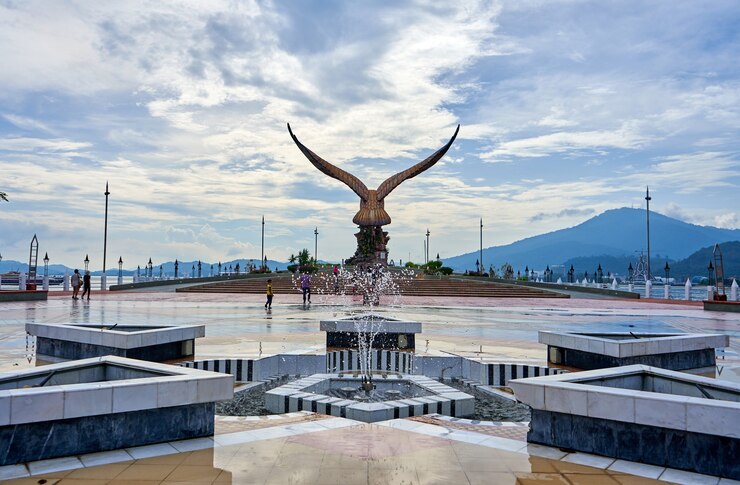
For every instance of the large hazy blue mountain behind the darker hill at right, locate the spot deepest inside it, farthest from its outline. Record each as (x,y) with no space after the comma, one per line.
(616,232)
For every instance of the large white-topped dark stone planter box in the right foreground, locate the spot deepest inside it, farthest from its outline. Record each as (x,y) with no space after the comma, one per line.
(639,413)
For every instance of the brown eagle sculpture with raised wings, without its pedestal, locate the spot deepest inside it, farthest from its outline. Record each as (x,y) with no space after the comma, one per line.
(372,202)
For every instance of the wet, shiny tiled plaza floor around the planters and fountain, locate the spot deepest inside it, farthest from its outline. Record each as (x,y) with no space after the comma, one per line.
(309,448)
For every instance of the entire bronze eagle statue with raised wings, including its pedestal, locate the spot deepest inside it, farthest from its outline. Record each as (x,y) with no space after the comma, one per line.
(372,216)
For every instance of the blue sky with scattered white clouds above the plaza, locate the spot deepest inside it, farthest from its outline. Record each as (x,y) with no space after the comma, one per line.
(567,108)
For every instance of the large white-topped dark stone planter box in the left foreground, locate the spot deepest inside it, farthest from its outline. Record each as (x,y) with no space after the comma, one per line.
(105,403)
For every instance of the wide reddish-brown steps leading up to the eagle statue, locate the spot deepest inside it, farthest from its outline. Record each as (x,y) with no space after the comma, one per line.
(429,286)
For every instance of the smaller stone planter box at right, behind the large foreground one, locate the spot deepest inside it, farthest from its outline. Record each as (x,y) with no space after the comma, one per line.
(673,351)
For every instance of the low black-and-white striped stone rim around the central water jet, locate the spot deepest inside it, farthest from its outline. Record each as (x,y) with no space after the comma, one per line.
(307,395)
